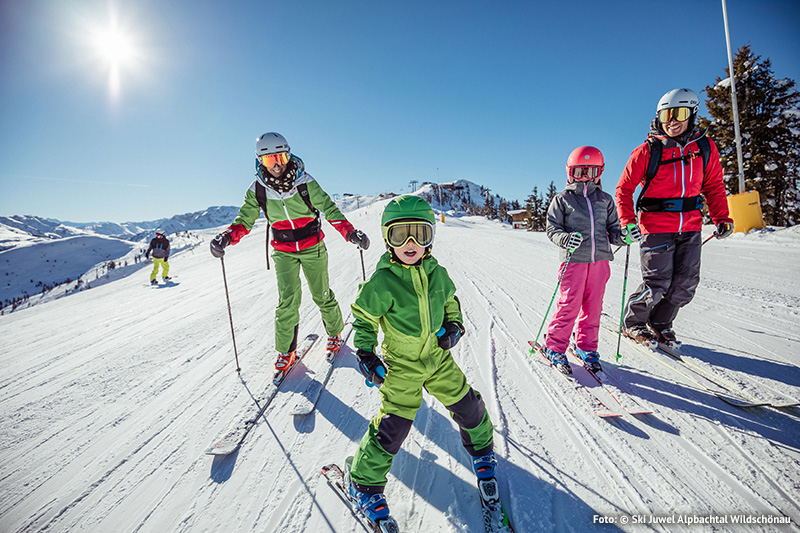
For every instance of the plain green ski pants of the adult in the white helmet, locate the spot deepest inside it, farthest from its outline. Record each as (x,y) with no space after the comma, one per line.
(314,263)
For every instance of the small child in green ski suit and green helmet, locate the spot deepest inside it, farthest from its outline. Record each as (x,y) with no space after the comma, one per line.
(412,299)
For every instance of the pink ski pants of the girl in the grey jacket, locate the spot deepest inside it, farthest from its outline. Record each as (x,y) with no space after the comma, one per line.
(580,296)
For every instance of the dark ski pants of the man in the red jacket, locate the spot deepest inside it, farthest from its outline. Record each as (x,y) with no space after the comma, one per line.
(670,275)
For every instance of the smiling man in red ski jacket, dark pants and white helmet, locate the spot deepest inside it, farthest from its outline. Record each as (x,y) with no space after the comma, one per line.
(669,215)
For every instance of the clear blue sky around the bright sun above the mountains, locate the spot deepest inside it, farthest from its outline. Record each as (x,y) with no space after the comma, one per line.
(371,94)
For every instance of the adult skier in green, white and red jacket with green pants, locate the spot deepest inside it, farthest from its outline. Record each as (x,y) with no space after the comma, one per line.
(292,201)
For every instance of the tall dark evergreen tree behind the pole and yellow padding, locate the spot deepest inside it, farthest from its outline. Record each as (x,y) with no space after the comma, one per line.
(769,122)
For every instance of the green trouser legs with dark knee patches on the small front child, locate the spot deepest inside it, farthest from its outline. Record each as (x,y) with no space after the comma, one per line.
(401,396)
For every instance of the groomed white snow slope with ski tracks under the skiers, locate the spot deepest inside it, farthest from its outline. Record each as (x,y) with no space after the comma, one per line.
(109,397)
